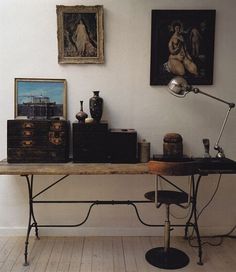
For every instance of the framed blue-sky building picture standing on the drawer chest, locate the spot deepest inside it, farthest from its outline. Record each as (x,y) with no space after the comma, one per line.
(37,98)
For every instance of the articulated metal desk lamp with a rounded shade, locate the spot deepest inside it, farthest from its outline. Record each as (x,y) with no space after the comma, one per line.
(179,87)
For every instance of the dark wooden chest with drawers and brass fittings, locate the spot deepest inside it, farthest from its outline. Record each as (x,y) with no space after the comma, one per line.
(30,141)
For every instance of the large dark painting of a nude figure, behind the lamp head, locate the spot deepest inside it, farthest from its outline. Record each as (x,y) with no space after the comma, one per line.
(182,44)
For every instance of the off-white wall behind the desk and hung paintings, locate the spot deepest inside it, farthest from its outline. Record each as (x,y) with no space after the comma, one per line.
(28,48)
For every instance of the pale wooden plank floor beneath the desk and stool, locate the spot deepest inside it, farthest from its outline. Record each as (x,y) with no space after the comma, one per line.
(105,254)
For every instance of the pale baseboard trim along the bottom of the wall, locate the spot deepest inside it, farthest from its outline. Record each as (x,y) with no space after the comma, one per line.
(100,231)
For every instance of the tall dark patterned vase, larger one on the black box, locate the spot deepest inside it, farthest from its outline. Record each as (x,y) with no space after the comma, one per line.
(96,106)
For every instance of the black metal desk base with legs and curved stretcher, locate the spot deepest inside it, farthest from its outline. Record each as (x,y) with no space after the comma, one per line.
(32,222)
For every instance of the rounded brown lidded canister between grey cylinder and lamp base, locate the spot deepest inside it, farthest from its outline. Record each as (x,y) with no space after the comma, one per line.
(173,145)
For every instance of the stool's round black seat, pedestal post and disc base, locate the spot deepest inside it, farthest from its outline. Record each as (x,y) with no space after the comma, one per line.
(167,257)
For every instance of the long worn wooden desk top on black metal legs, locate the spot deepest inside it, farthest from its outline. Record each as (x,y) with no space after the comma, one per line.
(164,168)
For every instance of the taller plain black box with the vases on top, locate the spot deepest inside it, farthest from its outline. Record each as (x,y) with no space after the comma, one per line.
(90,142)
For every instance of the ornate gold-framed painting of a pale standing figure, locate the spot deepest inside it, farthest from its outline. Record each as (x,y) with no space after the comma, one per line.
(80,32)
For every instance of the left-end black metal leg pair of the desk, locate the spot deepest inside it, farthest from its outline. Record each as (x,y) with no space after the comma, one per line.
(32,221)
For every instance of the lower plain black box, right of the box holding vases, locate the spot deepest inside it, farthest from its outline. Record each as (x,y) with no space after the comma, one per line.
(123,145)
